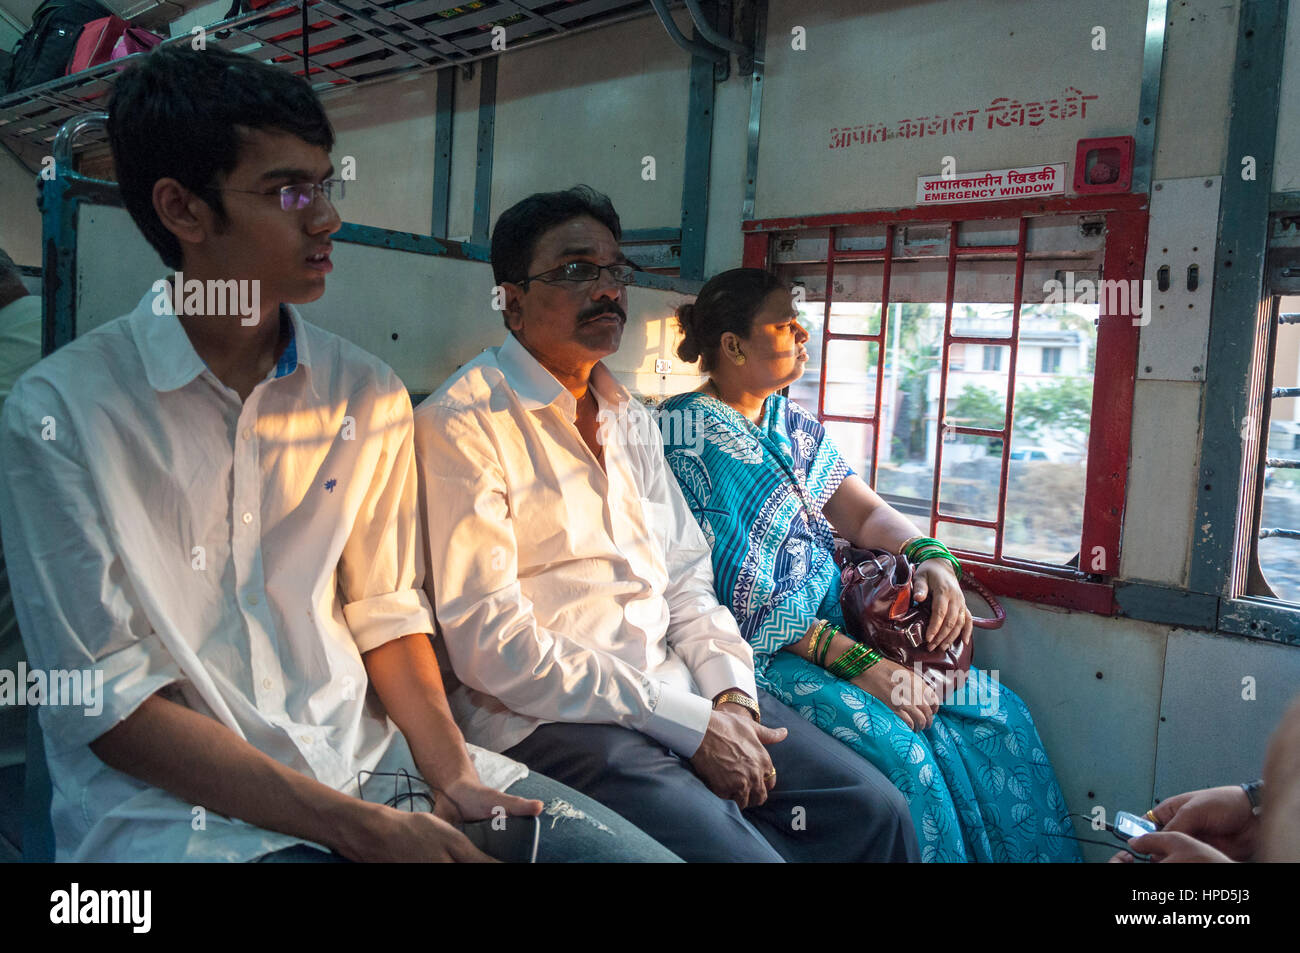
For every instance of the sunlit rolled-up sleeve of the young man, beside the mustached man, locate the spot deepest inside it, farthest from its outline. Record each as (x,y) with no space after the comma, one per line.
(382,568)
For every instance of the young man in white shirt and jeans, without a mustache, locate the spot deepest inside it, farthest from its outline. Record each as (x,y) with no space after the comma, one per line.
(214,518)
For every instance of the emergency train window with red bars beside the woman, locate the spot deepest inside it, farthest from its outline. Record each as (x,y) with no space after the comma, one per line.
(934,344)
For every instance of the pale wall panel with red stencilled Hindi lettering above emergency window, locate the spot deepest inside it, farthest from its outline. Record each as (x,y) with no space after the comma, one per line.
(990,85)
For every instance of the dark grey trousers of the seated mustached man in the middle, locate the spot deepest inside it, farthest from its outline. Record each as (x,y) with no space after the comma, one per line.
(829,804)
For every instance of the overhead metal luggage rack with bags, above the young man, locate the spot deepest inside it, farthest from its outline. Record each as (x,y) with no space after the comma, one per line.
(367,42)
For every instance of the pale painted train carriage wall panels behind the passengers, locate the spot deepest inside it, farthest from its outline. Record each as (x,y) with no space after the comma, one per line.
(1129,711)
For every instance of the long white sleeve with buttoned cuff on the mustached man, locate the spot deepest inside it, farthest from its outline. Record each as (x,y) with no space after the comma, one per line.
(489,627)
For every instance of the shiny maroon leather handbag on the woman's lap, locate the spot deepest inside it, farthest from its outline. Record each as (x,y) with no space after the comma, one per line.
(879,610)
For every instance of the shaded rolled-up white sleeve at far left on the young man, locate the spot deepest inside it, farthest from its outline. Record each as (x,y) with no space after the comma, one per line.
(92,651)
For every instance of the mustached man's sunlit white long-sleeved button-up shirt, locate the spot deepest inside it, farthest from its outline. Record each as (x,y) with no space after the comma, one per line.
(566,592)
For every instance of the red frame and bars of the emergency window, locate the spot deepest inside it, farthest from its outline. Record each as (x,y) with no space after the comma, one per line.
(1107,480)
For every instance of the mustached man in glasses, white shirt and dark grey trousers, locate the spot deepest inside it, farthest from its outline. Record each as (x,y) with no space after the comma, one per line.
(575,590)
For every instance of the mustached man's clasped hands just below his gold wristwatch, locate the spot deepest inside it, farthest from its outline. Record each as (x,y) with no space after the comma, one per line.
(733,760)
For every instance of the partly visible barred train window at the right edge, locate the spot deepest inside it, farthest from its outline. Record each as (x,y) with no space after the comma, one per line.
(1276,564)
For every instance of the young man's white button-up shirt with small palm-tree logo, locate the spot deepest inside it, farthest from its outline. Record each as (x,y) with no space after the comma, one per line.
(237,557)
